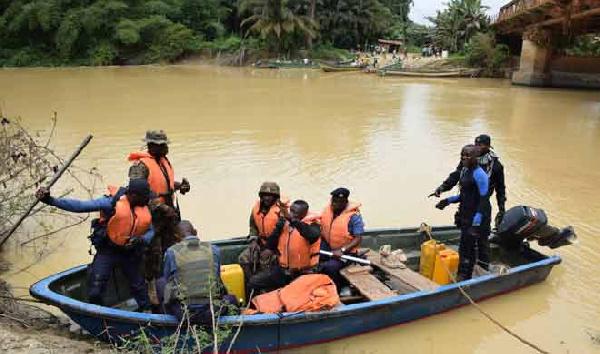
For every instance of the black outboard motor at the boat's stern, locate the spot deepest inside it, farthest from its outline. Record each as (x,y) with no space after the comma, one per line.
(526,223)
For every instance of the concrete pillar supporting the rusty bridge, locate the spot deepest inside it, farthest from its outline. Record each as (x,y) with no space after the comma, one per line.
(536,54)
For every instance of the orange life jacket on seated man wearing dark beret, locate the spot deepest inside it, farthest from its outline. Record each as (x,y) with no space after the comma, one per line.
(335,230)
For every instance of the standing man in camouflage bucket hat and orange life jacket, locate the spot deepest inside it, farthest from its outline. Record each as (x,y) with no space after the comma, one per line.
(155,167)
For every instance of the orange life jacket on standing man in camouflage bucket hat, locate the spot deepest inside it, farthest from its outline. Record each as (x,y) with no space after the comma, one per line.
(157,178)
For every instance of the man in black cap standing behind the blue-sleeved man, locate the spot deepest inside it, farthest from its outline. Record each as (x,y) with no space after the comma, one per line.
(491,166)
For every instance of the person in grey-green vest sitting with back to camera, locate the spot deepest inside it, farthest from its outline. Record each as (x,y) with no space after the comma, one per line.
(191,278)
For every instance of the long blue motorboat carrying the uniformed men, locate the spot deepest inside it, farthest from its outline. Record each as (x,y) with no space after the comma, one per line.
(262,332)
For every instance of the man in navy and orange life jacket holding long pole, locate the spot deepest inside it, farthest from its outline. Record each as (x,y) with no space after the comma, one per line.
(119,236)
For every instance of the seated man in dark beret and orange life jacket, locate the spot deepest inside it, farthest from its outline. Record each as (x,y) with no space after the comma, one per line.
(341,233)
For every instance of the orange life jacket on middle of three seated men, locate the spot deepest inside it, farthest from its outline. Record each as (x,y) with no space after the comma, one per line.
(295,252)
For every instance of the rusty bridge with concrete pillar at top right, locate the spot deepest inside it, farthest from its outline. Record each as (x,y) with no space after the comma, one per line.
(544,26)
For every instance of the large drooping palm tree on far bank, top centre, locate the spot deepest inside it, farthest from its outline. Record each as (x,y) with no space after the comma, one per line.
(275,19)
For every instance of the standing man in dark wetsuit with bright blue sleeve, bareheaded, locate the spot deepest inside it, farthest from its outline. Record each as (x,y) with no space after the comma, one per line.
(474,210)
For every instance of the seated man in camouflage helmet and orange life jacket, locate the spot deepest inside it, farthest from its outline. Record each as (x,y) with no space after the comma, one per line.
(263,218)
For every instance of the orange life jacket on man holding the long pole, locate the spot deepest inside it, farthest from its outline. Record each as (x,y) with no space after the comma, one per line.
(126,221)
